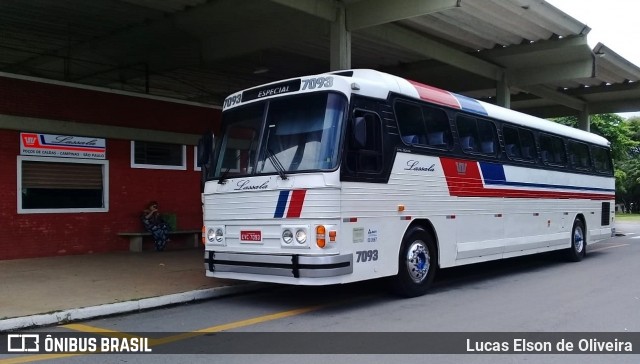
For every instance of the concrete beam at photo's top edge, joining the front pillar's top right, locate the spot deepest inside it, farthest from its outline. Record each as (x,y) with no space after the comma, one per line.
(369,13)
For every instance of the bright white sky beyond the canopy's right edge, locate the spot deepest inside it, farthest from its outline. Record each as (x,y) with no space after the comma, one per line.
(613,23)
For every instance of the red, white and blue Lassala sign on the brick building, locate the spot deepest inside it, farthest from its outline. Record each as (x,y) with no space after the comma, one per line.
(47,145)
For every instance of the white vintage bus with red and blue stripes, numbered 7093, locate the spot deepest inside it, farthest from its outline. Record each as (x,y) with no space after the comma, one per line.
(358,174)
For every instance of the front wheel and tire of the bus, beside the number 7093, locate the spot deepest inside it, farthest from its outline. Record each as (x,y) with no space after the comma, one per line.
(417,264)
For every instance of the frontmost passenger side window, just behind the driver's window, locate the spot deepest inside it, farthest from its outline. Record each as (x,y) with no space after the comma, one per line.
(422,125)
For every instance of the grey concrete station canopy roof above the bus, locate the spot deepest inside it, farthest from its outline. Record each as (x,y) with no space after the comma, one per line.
(203,50)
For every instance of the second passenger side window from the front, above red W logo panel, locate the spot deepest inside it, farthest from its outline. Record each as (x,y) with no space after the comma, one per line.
(476,135)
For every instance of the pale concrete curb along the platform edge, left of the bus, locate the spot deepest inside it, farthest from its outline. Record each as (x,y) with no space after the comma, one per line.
(84,313)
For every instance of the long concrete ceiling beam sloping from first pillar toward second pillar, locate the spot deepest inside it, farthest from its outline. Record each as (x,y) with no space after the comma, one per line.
(396,35)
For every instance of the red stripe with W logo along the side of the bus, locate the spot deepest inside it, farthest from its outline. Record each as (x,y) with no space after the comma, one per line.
(469,184)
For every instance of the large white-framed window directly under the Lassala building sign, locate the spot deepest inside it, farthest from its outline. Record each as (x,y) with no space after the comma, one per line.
(62,185)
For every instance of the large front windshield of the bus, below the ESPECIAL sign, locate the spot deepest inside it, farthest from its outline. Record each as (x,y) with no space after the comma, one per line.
(283,135)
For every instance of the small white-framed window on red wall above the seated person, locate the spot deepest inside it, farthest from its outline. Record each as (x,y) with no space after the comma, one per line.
(154,155)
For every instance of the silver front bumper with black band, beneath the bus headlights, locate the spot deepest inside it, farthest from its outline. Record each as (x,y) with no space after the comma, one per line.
(291,265)
